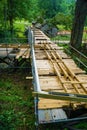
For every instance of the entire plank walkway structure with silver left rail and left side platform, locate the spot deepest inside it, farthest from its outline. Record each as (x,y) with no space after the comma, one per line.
(59,85)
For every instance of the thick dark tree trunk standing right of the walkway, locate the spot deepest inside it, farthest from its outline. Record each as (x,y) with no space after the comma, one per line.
(78,24)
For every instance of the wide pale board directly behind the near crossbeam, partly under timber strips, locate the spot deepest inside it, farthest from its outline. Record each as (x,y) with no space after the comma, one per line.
(52,83)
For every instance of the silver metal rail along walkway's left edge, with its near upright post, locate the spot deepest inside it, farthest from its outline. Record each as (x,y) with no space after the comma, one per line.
(36,84)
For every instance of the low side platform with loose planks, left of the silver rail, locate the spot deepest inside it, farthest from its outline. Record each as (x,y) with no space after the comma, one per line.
(15,50)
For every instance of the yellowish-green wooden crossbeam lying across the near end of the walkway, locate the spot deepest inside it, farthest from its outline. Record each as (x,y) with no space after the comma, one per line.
(61,96)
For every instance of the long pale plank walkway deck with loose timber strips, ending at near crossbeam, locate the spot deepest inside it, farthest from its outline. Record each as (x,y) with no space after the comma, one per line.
(58,75)
